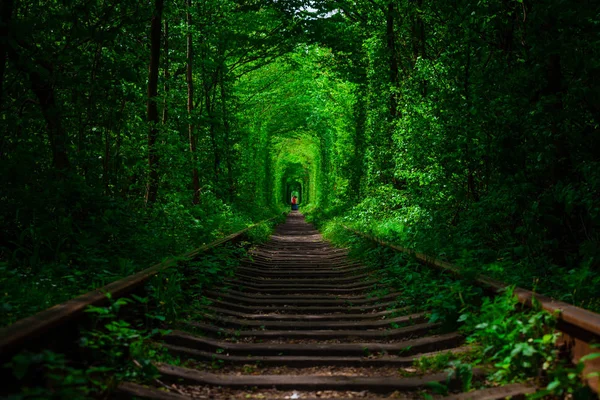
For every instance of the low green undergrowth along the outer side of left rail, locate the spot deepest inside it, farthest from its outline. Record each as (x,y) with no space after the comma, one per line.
(134,247)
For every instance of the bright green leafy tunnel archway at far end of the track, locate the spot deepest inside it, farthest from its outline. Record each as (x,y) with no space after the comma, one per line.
(297,114)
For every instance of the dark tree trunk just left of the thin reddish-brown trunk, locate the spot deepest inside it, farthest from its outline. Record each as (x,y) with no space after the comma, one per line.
(152,108)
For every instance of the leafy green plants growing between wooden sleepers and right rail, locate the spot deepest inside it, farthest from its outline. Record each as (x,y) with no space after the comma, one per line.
(516,344)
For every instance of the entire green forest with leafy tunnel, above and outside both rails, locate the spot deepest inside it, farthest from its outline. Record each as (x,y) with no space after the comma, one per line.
(131,131)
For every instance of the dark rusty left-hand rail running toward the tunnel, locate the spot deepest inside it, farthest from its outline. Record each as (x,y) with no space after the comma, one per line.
(15,337)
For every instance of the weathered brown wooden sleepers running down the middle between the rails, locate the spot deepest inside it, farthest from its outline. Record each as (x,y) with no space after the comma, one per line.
(298,320)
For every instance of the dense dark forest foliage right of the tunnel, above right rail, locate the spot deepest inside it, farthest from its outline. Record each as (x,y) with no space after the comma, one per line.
(476,134)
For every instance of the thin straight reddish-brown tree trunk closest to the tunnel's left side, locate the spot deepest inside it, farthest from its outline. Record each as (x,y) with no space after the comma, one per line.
(190,107)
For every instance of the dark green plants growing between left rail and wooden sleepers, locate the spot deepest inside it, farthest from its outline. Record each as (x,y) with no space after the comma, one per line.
(122,341)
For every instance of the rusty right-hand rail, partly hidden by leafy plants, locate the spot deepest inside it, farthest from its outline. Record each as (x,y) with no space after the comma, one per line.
(580,327)
